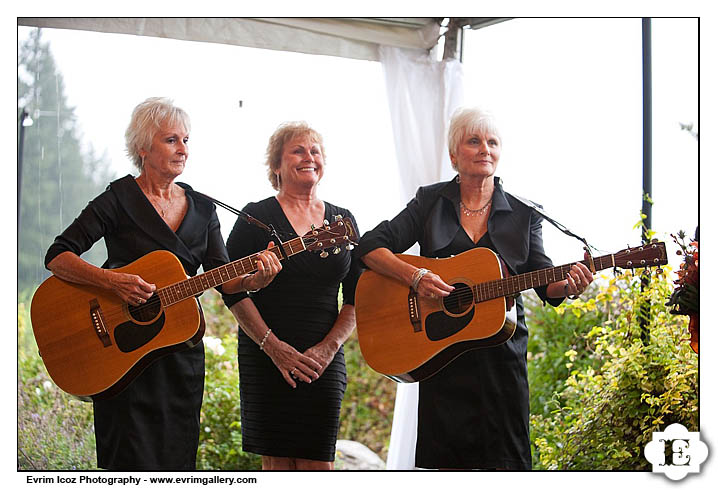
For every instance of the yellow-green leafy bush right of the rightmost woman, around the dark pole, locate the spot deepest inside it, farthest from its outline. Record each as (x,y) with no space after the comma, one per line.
(621,385)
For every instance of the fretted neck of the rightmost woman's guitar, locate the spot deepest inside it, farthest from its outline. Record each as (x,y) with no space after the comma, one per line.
(521,282)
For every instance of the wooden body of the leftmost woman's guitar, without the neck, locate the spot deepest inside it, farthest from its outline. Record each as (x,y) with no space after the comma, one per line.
(93,344)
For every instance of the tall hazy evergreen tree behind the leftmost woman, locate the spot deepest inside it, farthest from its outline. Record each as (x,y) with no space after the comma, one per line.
(57,178)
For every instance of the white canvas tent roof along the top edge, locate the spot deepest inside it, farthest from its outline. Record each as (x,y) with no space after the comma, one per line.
(357,38)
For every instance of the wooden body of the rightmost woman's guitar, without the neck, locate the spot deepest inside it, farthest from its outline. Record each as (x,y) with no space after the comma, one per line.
(412,350)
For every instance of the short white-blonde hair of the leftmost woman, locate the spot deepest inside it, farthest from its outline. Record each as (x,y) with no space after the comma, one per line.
(146,120)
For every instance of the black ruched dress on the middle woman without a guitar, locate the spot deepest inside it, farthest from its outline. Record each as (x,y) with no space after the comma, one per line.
(300,306)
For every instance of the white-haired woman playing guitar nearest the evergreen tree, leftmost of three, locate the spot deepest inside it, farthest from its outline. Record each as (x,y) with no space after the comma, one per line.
(153,424)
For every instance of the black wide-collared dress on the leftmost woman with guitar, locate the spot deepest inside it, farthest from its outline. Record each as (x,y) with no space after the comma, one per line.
(154,423)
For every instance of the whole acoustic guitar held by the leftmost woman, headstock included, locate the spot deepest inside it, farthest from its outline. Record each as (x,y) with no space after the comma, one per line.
(93,344)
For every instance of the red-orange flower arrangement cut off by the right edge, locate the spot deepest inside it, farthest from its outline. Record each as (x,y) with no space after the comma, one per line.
(685,299)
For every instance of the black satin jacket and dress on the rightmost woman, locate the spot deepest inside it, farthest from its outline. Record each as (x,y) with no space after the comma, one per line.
(474,413)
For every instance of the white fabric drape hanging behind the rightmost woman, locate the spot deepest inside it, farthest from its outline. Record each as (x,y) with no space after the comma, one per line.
(422,93)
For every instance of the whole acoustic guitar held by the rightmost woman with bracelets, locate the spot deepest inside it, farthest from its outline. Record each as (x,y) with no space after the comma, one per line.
(409,338)
